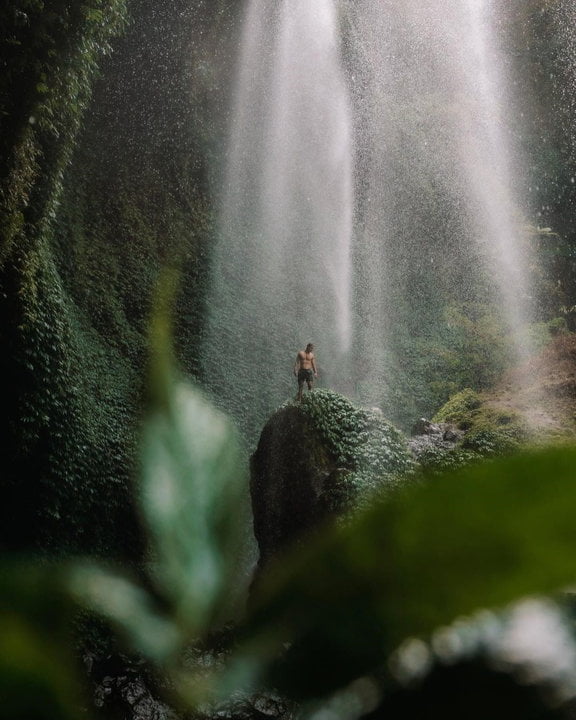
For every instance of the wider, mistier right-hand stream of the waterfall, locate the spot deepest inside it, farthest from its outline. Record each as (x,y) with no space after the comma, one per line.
(437,220)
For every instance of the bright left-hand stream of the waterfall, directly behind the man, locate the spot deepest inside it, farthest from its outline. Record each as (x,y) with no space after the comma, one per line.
(281,268)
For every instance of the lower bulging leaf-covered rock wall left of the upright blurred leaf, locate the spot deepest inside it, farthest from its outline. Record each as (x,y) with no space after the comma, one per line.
(69,423)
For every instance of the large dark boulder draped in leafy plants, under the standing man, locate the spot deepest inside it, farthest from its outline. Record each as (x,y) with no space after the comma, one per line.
(317,460)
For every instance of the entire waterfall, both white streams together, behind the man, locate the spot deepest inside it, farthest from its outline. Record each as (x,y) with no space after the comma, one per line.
(367,137)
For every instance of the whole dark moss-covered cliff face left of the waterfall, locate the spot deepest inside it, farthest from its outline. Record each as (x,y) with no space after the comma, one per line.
(92,205)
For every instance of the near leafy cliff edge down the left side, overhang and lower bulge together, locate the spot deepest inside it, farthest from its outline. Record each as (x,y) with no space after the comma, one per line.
(59,422)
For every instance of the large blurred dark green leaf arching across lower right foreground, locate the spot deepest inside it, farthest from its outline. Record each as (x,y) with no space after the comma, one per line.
(481,537)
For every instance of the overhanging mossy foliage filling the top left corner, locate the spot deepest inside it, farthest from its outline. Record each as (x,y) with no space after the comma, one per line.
(50,61)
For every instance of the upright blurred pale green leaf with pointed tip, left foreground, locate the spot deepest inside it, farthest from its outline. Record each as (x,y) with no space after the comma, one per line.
(192,479)
